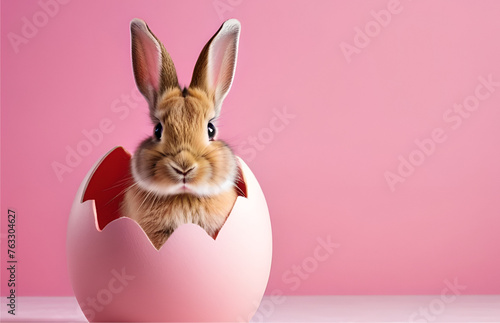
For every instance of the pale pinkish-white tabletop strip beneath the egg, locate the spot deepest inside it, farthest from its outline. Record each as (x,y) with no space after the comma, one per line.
(433,308)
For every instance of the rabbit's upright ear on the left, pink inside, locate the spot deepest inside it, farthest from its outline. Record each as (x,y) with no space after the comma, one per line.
(154,69)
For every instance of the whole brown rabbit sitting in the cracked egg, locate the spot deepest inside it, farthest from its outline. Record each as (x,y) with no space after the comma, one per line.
(181,173)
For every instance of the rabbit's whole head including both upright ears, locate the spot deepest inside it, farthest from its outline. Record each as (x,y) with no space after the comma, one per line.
(182,155)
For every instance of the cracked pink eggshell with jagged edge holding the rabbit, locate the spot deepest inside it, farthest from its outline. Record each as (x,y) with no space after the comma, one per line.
(117,274)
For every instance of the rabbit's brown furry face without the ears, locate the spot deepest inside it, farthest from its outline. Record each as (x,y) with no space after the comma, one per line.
(182,155)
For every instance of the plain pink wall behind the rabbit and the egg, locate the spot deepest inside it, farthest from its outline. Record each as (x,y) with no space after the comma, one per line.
(322,169)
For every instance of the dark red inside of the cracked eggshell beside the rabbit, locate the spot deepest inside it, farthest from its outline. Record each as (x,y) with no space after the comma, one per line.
(110,179)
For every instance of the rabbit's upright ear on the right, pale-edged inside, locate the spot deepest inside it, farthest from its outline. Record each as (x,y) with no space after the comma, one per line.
(214,70)
